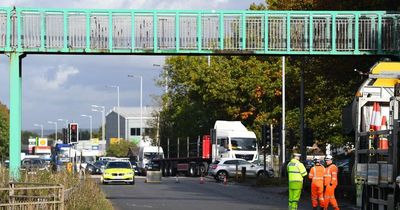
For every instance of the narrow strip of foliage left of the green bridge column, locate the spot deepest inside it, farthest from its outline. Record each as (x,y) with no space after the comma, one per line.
(4,130)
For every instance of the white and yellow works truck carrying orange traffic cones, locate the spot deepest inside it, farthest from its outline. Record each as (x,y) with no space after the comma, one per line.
(376,114)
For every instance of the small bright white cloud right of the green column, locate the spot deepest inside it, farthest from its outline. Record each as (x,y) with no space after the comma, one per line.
(60,78)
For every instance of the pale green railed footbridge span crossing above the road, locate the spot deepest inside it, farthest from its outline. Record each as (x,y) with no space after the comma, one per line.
(30,30)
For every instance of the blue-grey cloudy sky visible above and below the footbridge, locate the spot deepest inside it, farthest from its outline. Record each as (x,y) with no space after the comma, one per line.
(62,86)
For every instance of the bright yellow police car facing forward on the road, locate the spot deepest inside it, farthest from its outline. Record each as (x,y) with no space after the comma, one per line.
(118,171)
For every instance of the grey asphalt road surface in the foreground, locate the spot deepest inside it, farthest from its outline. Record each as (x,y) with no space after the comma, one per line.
(190,194)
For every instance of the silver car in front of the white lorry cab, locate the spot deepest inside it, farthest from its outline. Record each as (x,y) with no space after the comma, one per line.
(226,167)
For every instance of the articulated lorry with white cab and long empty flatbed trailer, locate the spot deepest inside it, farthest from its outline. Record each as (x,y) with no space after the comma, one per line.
(227,139)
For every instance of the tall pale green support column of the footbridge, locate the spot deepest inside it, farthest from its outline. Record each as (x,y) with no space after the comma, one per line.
(15,113)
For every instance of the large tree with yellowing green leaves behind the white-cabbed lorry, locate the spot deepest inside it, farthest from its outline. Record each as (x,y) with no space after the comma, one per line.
(232,88)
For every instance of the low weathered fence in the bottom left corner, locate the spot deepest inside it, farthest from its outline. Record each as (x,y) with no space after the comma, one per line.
(32,196)
